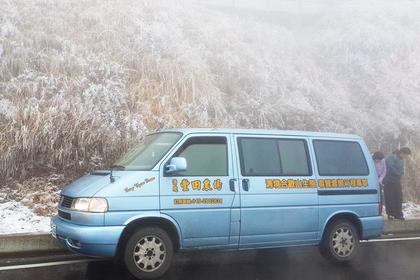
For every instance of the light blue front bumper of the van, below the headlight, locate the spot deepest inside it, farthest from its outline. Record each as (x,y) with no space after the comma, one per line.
(96,241)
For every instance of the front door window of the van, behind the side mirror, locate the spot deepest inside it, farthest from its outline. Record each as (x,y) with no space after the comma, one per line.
(206,156)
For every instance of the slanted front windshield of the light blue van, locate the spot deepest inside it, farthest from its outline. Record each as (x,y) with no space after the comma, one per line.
(148,152)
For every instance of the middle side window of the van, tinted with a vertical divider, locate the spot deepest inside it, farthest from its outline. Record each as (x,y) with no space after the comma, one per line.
(274,157)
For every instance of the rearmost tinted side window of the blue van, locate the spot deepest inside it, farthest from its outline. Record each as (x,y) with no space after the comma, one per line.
(341,158)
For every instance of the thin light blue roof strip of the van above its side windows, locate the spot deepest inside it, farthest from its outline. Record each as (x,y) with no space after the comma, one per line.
(262,132)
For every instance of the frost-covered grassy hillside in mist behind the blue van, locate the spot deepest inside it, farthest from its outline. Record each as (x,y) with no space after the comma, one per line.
(82,81)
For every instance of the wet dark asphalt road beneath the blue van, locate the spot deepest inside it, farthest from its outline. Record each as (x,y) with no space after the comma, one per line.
(397,259)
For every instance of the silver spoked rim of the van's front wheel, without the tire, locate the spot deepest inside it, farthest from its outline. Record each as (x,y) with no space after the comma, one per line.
(149,253)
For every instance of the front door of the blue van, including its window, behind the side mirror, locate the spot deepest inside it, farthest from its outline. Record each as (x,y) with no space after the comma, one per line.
(201,198)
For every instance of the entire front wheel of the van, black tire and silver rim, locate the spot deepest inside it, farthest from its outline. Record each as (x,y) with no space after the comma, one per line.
(148,253)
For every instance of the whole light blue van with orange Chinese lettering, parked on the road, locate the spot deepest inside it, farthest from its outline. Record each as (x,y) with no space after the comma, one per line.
(230,189)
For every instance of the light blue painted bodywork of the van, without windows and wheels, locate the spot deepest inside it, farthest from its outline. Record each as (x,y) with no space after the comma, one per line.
(235,210)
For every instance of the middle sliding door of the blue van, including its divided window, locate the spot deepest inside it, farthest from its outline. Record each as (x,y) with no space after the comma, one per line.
(278,195)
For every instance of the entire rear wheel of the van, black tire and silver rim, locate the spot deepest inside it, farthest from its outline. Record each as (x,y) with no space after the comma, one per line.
(340,242)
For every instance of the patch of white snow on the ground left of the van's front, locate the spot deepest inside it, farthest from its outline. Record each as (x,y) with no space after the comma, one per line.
(17,218)
